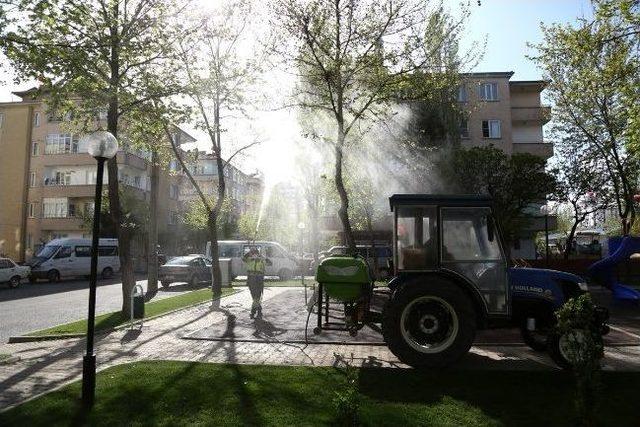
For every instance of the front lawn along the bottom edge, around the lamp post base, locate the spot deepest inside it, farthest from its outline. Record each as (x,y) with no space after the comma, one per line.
(180,393)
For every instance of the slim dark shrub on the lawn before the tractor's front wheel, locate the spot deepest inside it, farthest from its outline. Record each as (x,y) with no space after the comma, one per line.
(577,323)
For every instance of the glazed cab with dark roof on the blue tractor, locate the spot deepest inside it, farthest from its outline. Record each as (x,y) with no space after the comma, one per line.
(455,237)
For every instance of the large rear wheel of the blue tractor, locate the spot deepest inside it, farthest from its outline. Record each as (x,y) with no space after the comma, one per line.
(429,325)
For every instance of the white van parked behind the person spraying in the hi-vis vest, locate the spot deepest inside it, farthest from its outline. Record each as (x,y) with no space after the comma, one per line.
(283,264)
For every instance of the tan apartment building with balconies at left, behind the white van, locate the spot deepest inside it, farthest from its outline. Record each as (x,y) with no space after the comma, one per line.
(47,179)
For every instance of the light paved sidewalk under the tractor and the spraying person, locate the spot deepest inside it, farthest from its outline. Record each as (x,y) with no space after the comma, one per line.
(44,366)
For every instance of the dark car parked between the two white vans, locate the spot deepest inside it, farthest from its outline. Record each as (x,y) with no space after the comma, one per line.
(193,269)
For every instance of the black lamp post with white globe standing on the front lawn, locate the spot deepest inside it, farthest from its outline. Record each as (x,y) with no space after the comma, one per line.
(102,146)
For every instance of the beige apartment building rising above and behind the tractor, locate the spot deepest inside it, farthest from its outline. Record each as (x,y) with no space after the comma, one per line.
(508,114)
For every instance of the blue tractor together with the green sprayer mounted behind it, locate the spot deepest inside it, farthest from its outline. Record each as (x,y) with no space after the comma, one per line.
(451,277)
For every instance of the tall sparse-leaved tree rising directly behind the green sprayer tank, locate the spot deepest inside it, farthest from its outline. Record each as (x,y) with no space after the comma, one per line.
(351,71)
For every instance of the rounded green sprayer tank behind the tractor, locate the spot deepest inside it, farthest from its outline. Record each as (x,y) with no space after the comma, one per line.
(345,278)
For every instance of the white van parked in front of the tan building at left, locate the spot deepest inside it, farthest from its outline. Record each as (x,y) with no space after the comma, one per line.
(70,257)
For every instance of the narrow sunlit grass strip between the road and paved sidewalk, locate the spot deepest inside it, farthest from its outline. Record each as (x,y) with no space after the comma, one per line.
(152,308)
